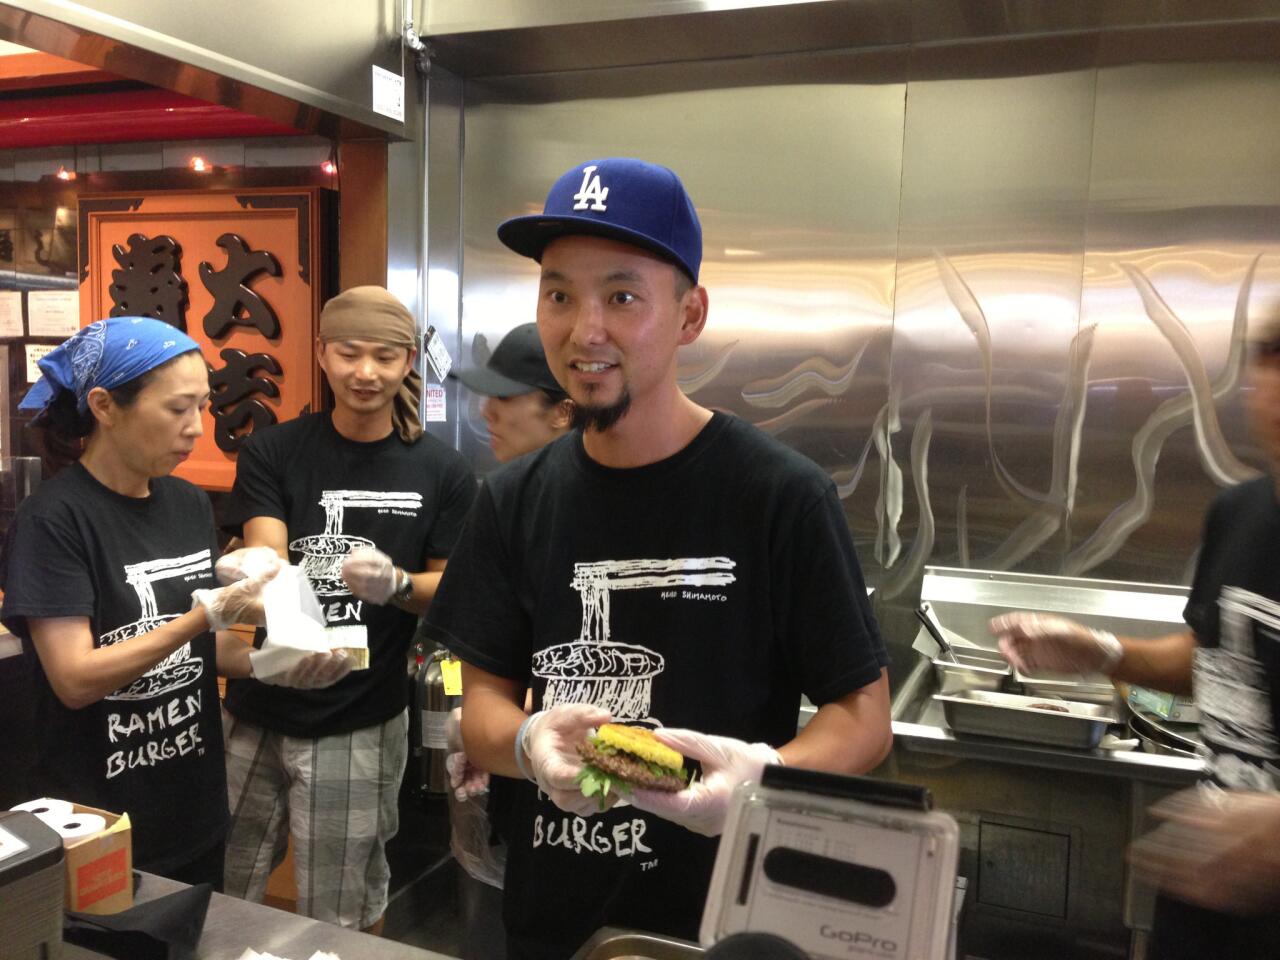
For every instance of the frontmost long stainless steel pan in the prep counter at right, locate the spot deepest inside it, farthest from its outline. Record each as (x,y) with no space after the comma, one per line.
(1013,717)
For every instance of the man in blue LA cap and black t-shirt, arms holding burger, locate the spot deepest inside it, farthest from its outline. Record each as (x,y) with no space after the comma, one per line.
(664,566)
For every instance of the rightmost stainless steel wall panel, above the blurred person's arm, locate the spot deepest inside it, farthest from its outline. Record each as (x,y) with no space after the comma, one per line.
(1183,236)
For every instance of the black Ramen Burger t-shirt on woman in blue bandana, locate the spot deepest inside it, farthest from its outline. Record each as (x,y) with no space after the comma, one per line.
(154,748)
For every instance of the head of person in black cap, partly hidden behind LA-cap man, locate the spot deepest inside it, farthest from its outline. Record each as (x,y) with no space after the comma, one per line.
(524,406)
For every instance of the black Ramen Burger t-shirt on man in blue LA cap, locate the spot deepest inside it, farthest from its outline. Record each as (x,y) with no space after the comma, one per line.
(707,591)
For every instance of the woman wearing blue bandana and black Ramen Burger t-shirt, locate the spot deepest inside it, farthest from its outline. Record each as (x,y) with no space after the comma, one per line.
(108,577)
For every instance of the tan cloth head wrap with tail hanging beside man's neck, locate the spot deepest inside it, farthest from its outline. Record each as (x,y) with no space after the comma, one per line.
(373,314)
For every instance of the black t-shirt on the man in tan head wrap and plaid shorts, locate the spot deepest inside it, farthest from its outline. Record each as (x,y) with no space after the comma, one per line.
(336,496)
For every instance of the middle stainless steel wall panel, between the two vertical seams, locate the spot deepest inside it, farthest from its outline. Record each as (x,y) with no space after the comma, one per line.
(989,354)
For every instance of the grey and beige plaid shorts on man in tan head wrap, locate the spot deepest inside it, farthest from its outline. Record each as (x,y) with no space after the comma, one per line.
(336,796)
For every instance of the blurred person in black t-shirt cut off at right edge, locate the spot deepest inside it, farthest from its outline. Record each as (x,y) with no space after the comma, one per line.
(1217,856)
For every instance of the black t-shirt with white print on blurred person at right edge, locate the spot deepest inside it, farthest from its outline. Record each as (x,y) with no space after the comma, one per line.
(1235,610)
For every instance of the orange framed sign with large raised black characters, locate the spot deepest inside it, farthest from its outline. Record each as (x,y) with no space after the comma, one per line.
(240,272)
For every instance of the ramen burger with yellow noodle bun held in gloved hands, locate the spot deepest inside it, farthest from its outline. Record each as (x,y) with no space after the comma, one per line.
(619,758)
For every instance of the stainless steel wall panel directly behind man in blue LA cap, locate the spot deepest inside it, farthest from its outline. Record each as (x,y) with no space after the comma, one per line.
(797,185)
